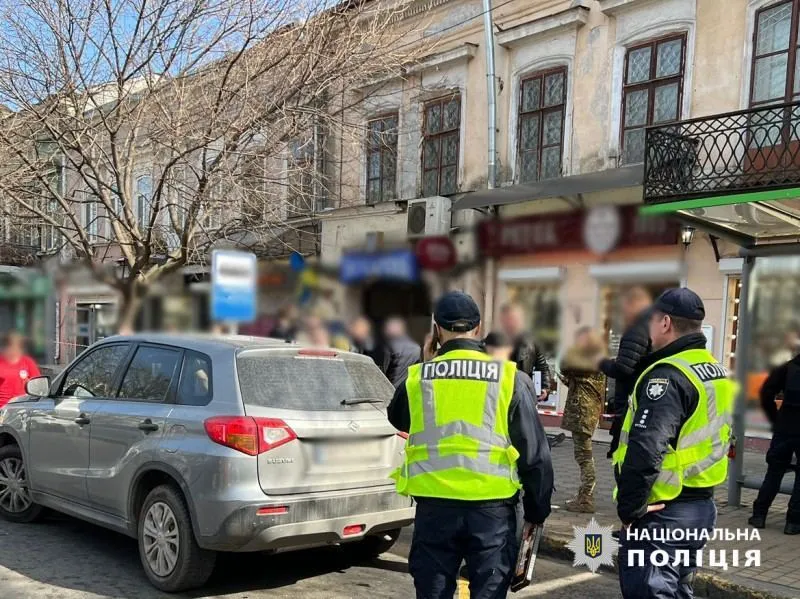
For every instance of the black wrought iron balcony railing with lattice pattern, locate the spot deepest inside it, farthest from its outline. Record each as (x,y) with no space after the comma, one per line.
(738,152)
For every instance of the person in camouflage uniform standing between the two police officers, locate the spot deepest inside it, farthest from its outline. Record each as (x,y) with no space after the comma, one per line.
(586,392)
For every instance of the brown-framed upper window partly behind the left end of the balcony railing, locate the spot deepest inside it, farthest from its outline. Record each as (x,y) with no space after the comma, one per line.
(652,91)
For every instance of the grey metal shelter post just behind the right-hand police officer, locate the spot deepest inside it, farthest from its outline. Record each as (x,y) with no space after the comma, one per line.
(736,470)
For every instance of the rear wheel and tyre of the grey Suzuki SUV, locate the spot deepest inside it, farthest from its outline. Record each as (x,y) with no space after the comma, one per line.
(170,555)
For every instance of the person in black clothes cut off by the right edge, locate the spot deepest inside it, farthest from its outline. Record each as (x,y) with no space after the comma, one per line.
(784,381)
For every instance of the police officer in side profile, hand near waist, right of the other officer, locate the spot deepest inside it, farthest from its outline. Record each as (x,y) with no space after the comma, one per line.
(672,452)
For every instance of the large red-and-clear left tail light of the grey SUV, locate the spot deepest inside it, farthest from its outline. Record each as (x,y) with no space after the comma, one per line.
(251,436)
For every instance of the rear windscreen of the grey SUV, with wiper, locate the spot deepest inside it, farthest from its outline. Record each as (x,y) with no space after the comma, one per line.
(303,383)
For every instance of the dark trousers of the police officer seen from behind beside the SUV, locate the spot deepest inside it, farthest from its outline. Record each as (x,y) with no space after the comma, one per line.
(444,535)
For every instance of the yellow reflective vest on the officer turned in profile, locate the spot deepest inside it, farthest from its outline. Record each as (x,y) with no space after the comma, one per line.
(700,456)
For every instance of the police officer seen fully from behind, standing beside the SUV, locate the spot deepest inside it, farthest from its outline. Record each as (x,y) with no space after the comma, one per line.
(474,436)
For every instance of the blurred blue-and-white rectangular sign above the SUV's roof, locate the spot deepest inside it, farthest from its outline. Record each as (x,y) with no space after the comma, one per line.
(234,295)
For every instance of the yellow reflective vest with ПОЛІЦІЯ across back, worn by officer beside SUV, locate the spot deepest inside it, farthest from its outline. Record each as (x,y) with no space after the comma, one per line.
(458,445)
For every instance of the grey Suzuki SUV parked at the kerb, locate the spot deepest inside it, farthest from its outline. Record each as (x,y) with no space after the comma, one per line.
(195,445)
